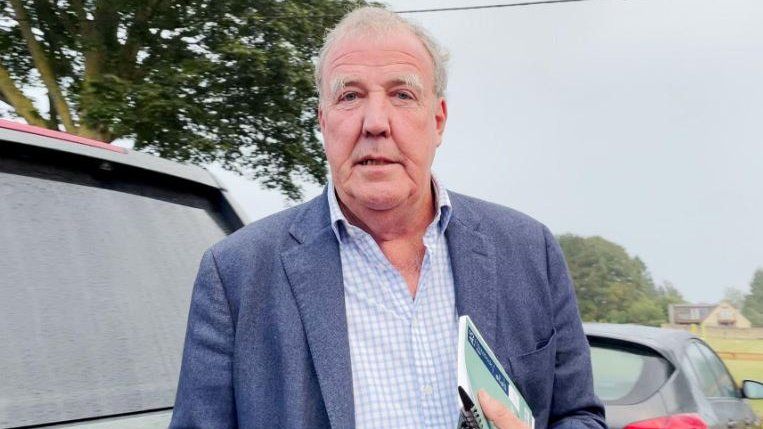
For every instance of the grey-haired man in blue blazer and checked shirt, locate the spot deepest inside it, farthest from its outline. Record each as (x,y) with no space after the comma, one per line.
(342,312)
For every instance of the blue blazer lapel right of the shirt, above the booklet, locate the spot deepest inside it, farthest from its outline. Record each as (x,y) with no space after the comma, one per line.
(473,259)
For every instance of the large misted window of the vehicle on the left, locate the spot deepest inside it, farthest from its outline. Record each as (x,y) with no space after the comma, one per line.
(96,269)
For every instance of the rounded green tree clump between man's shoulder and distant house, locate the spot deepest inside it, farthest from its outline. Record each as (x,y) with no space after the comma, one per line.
(613,287)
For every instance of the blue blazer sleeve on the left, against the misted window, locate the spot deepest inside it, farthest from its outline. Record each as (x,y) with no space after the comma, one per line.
(205,391)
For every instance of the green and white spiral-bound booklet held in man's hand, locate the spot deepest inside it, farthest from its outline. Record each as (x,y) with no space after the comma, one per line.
(479,369)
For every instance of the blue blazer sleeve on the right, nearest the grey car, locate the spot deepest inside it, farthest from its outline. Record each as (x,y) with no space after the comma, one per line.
(574,404)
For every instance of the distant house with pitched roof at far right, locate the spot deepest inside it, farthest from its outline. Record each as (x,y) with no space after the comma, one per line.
(722,315)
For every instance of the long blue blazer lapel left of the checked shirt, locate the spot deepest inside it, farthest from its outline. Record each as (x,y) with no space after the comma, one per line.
(314,271)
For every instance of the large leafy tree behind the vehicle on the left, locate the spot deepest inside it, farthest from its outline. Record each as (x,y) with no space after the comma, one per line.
(228,81)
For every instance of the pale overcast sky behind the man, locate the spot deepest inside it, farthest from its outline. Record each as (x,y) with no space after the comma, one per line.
(637,120)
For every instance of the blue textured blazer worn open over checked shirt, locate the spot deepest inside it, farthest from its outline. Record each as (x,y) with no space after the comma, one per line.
(267,345)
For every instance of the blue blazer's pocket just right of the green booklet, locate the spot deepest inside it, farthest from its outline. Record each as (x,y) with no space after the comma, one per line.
(533,373)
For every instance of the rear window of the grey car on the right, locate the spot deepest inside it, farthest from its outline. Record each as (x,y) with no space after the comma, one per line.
(626,373)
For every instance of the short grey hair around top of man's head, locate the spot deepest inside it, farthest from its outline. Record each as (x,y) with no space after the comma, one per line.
(378,21)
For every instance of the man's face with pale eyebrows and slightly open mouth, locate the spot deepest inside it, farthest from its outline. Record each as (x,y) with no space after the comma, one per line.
(380,119)
